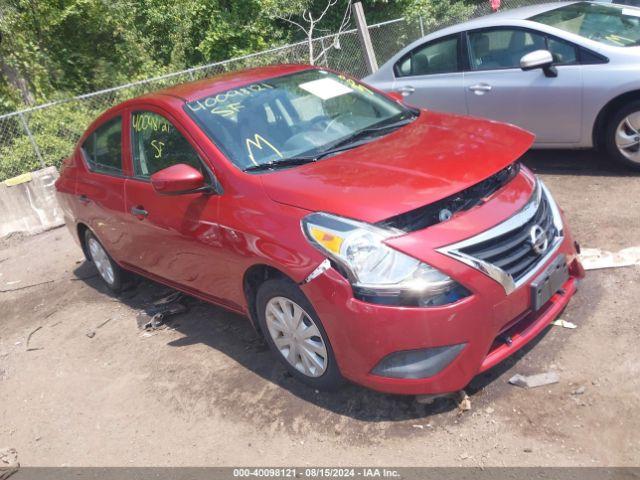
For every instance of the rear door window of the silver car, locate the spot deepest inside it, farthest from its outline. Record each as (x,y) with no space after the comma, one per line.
(435,57)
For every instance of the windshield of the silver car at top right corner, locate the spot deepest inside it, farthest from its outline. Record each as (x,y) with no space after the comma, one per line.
(610,24)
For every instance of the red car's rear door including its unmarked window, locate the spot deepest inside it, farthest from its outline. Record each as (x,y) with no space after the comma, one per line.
(100,184)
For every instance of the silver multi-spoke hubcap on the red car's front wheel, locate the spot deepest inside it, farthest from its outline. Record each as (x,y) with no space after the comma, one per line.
(296,336)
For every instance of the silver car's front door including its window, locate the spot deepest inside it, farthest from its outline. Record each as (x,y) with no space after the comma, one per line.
(496,87)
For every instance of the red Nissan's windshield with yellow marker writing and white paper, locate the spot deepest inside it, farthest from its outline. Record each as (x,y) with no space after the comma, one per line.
(304,114)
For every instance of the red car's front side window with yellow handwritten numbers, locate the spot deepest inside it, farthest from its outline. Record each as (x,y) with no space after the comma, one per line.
(156,144)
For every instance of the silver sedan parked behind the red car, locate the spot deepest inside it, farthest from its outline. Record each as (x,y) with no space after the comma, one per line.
(568,71)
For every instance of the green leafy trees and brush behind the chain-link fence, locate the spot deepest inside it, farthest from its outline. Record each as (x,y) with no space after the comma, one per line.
(55,49)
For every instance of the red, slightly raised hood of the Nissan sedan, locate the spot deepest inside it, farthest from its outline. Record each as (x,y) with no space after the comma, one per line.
(435,156)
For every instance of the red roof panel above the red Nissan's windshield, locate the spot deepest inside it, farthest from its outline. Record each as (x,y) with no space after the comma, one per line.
(227,81)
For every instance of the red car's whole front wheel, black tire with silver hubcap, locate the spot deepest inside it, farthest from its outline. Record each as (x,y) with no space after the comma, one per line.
(312,359)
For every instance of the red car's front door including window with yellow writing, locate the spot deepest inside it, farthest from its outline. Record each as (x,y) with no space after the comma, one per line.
(174,237)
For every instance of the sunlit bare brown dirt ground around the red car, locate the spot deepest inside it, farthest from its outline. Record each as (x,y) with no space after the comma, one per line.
(208,392)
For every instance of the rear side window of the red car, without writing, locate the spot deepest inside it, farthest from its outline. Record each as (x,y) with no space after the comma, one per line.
(103,148)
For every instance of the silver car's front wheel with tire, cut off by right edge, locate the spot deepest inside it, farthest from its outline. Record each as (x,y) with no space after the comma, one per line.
(624,128)
